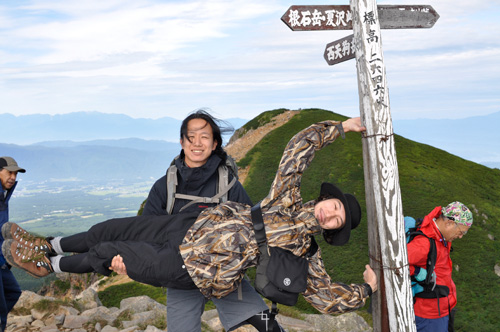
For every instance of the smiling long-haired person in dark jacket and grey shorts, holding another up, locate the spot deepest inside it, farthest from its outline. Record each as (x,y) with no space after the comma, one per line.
(198,175)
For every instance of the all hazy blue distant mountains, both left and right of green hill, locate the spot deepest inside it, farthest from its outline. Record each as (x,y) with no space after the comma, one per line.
(98,145)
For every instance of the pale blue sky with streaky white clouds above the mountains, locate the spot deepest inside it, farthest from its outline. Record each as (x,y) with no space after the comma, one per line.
(151,59)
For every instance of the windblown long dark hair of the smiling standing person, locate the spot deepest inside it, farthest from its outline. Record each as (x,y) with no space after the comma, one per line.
(218,126)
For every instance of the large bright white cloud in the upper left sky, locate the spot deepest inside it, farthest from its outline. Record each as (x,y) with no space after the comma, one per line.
(88,33)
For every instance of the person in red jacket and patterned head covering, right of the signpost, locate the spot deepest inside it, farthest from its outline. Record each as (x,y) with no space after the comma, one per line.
(443,225)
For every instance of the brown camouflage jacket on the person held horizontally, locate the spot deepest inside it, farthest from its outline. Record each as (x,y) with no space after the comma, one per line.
(220,246)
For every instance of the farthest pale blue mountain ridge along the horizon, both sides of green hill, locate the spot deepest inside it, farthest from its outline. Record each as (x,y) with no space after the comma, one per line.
(475,138)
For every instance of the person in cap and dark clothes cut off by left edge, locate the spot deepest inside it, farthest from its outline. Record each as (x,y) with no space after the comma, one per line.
(9,288)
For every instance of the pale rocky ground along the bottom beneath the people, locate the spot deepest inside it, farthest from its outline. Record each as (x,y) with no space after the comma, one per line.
(39,313)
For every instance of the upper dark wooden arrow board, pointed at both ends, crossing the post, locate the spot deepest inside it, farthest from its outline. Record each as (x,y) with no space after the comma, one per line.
(339,17)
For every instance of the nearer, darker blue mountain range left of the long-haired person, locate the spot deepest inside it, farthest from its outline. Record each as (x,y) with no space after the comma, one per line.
(93,160)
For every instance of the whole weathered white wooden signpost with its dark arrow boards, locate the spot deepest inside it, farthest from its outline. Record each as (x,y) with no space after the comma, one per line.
(392,304)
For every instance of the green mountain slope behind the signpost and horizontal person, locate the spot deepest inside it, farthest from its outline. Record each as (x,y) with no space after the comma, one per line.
(429,177)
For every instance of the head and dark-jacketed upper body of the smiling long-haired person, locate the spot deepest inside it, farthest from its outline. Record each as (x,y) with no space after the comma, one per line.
(197,169)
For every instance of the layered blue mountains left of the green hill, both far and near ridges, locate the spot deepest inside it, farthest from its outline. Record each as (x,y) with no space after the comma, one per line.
(92,146)
